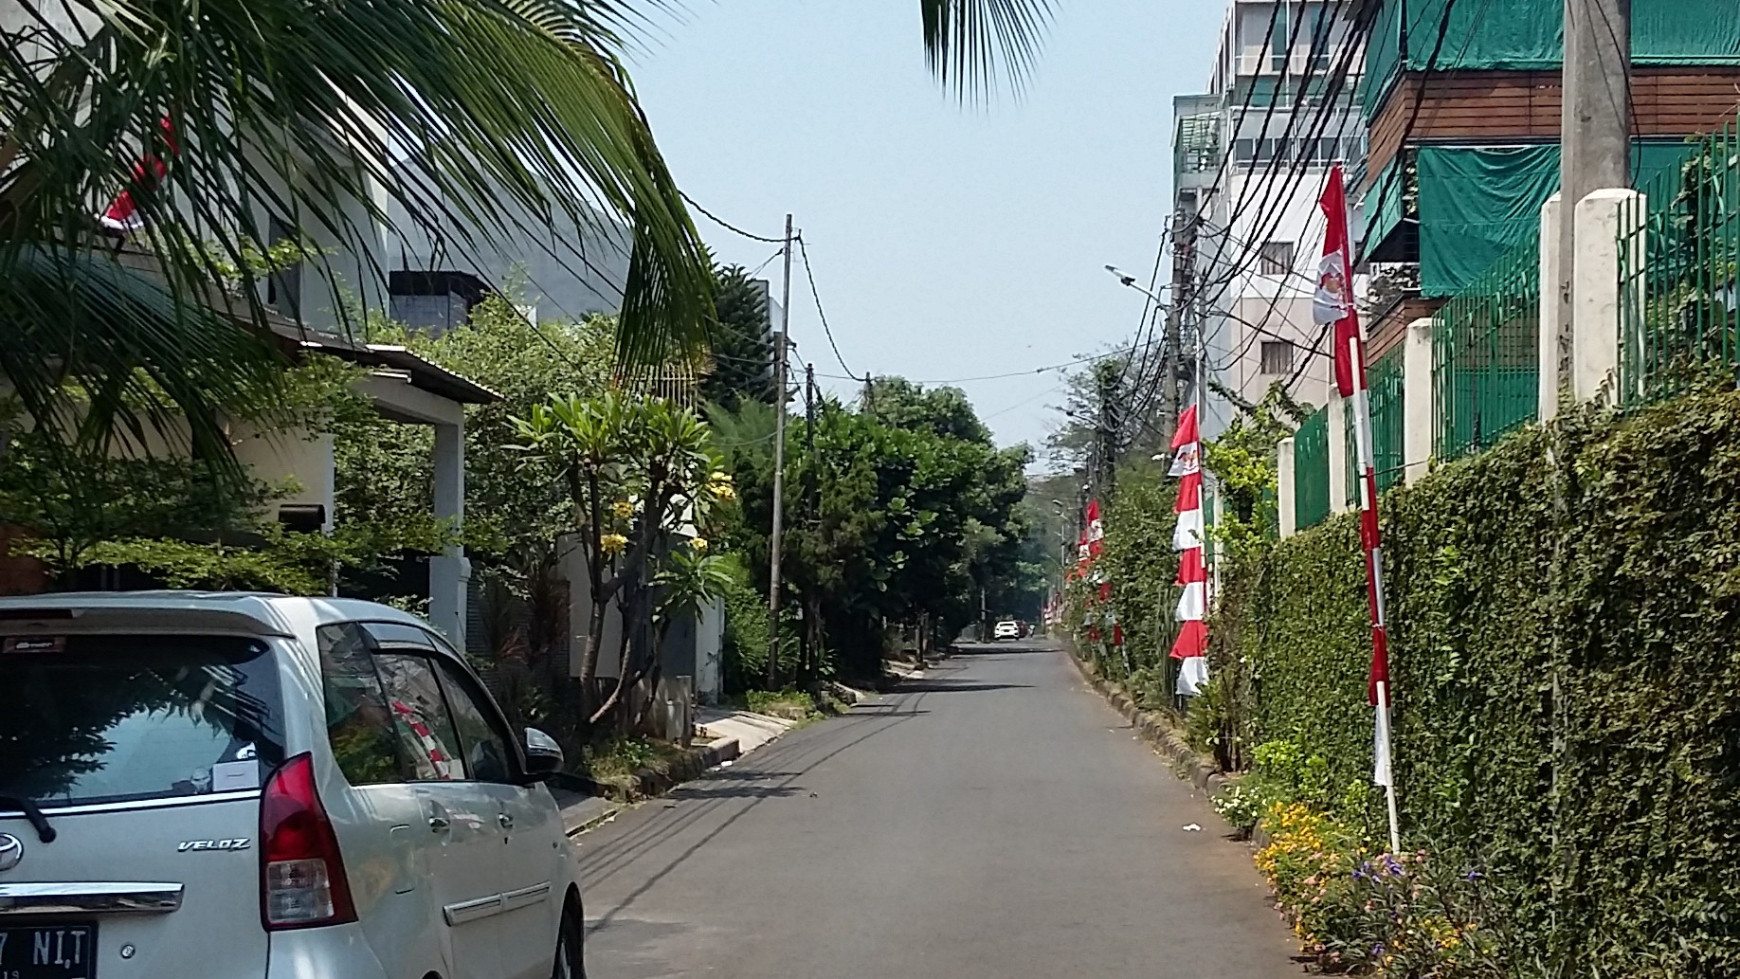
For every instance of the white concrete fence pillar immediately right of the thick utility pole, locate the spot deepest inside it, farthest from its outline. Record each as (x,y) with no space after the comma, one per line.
(1596,290)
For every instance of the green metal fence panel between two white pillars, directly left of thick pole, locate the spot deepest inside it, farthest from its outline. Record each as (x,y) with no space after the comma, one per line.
(1485,356)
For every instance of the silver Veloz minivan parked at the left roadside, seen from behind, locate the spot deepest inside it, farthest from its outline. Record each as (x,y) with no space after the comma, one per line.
(250,785)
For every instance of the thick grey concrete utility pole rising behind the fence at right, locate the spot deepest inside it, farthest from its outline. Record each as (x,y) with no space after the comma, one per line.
(1595,128)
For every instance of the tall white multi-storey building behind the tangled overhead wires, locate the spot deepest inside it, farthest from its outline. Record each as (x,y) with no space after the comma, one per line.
(1250,163)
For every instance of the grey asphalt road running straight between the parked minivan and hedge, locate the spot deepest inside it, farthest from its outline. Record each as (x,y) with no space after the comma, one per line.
(991,822)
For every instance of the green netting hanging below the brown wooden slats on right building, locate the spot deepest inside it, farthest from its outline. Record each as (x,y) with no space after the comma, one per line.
(1478,203)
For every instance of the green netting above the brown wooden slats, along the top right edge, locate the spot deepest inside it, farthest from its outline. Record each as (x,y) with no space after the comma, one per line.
(1529,36)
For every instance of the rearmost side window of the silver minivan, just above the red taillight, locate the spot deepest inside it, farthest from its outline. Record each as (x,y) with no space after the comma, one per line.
(359,723)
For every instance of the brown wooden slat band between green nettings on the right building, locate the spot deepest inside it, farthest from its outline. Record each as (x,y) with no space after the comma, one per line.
(1523,107)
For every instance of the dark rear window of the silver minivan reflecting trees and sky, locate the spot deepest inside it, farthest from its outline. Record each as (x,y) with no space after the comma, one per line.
(126,719)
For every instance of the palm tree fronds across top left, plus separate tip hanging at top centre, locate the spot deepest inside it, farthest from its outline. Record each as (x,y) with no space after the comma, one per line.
(300,110)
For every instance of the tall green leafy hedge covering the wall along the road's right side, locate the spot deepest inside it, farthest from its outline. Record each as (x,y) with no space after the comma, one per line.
(1565,618)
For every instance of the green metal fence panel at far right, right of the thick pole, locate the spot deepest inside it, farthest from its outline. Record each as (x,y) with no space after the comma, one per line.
(1680,302)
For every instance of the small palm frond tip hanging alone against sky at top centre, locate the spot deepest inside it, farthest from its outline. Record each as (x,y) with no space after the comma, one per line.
(974,44)
